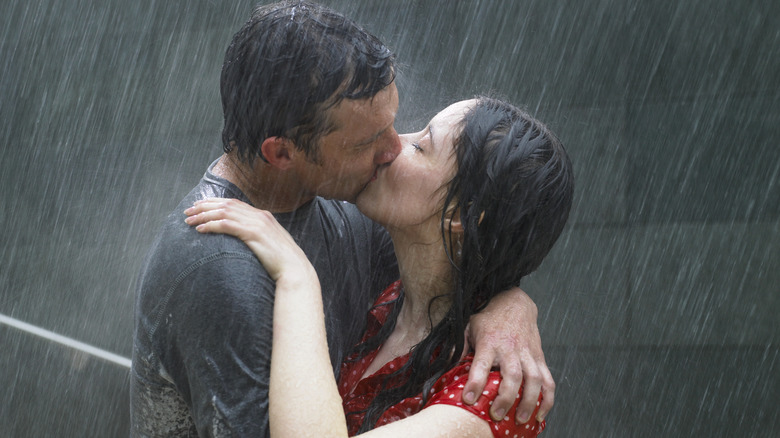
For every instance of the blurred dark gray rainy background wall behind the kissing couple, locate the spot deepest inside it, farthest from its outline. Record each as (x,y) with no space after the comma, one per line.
(658,308)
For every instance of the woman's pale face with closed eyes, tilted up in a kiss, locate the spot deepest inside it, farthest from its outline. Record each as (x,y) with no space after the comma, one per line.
(410,191)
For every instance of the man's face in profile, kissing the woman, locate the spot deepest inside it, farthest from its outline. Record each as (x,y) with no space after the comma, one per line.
(349,156)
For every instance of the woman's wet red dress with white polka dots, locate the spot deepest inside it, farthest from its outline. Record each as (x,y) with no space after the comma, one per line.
(358,394)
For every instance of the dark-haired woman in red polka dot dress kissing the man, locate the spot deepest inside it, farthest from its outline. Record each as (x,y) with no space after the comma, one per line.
(473,203)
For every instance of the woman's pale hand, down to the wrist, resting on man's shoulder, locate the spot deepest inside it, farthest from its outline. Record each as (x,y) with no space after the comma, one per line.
(272,244)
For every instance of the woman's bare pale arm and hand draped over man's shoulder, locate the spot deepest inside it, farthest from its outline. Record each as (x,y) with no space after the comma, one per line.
(301,377)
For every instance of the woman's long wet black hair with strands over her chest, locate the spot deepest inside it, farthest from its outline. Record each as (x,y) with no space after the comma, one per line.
(512,191)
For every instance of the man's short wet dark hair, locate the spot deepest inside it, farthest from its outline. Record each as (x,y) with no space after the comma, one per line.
(286,66)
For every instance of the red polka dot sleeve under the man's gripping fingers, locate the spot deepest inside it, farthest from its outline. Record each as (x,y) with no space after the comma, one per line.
(448,390)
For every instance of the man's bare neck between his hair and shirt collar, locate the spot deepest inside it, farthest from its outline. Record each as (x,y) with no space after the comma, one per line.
(266,187)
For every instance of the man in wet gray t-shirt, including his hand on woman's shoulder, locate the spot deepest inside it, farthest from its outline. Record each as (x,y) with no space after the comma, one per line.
(309,101)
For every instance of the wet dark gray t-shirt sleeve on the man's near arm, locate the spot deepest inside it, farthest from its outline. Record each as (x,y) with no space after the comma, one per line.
(219,332)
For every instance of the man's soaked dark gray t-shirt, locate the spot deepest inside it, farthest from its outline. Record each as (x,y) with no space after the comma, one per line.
(204,313)
